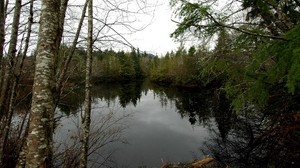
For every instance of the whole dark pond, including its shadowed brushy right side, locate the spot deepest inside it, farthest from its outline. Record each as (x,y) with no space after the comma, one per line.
(144,125)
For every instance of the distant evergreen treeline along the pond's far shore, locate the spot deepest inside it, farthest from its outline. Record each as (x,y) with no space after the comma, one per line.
(176,68)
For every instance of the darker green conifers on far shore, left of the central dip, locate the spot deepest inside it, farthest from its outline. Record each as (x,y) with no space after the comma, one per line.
(109,65)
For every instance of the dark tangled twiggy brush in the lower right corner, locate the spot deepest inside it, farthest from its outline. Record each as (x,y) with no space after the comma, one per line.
(258,140)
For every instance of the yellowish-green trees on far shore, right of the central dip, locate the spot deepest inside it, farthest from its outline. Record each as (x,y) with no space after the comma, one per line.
(180,68)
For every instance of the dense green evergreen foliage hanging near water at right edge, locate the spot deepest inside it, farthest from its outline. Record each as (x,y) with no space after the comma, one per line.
(275,63)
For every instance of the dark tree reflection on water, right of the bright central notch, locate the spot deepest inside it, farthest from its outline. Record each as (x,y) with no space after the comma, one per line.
(198,105)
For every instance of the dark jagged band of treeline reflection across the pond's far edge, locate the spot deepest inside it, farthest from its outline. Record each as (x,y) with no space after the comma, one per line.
(195,104)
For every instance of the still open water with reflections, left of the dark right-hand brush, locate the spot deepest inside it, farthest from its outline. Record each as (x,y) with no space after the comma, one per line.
(153,124)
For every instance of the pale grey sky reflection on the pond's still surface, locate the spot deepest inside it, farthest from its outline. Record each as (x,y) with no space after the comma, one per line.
(155,133)
